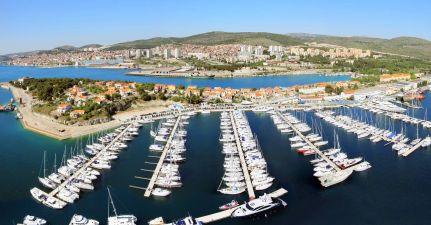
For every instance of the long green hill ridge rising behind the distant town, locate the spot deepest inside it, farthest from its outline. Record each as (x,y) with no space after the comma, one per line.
(408,46)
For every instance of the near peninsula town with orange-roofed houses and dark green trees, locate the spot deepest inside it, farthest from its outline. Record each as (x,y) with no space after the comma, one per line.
(88,102)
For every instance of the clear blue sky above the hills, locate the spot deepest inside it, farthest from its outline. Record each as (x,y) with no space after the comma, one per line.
(27,25)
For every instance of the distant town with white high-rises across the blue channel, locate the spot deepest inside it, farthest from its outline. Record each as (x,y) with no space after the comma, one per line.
(199,60)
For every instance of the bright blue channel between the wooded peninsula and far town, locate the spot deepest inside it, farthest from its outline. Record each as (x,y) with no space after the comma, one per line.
(8,73)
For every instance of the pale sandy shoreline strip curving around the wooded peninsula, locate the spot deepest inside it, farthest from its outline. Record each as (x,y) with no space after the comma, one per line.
(48,126)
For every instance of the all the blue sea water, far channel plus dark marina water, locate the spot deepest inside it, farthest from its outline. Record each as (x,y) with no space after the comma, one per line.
(395,191)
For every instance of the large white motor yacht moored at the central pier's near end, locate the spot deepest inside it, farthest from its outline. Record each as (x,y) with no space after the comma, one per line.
(256,206)
